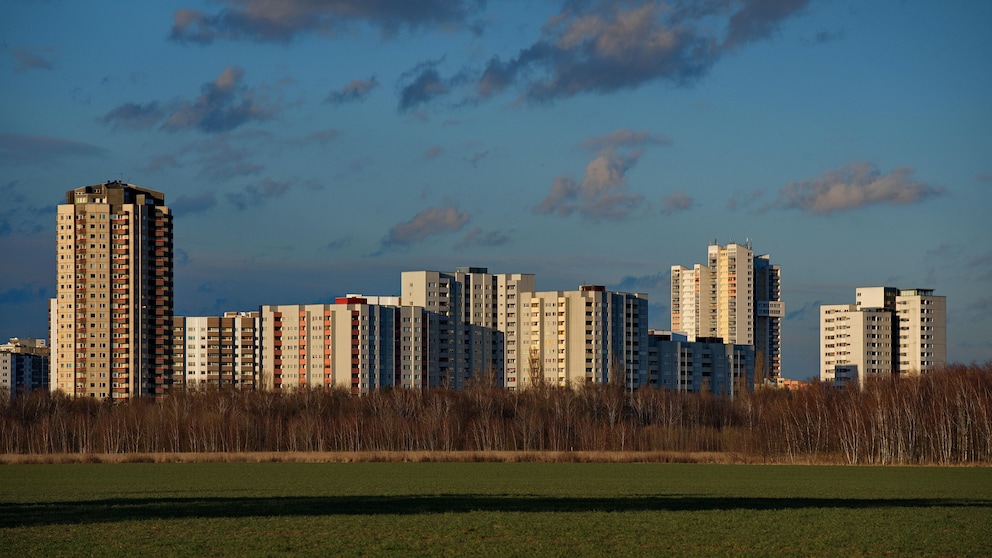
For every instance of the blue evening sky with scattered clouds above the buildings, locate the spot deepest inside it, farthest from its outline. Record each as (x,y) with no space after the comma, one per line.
(309,149)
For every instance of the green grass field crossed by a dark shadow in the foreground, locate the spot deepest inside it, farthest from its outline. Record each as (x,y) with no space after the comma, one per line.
(492,509)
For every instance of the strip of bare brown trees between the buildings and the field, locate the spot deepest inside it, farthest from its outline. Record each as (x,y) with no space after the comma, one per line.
(944,417)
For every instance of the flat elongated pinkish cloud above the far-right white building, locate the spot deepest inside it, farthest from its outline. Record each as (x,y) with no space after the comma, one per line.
(852,187)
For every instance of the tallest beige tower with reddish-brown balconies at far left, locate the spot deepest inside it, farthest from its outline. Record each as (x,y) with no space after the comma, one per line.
(112,316)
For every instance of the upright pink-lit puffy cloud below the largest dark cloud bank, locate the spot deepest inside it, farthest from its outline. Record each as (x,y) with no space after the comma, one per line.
(601,194)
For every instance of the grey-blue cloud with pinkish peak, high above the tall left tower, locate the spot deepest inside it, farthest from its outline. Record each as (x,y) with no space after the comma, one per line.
(223,105)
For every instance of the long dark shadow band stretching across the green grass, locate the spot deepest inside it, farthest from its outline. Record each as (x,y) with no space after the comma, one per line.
(128,509)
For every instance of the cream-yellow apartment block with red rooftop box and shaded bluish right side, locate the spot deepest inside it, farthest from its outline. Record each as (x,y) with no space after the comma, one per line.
(589,335)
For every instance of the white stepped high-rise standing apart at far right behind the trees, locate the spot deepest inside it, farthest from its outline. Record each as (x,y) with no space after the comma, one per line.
(887,331)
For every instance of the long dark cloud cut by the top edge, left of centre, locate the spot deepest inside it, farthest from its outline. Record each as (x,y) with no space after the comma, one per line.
(282,21)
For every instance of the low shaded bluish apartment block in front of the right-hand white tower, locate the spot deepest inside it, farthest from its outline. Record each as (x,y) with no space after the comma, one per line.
(700,366)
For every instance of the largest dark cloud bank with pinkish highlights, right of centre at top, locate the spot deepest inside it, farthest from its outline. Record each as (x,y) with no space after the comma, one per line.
(606,46)
